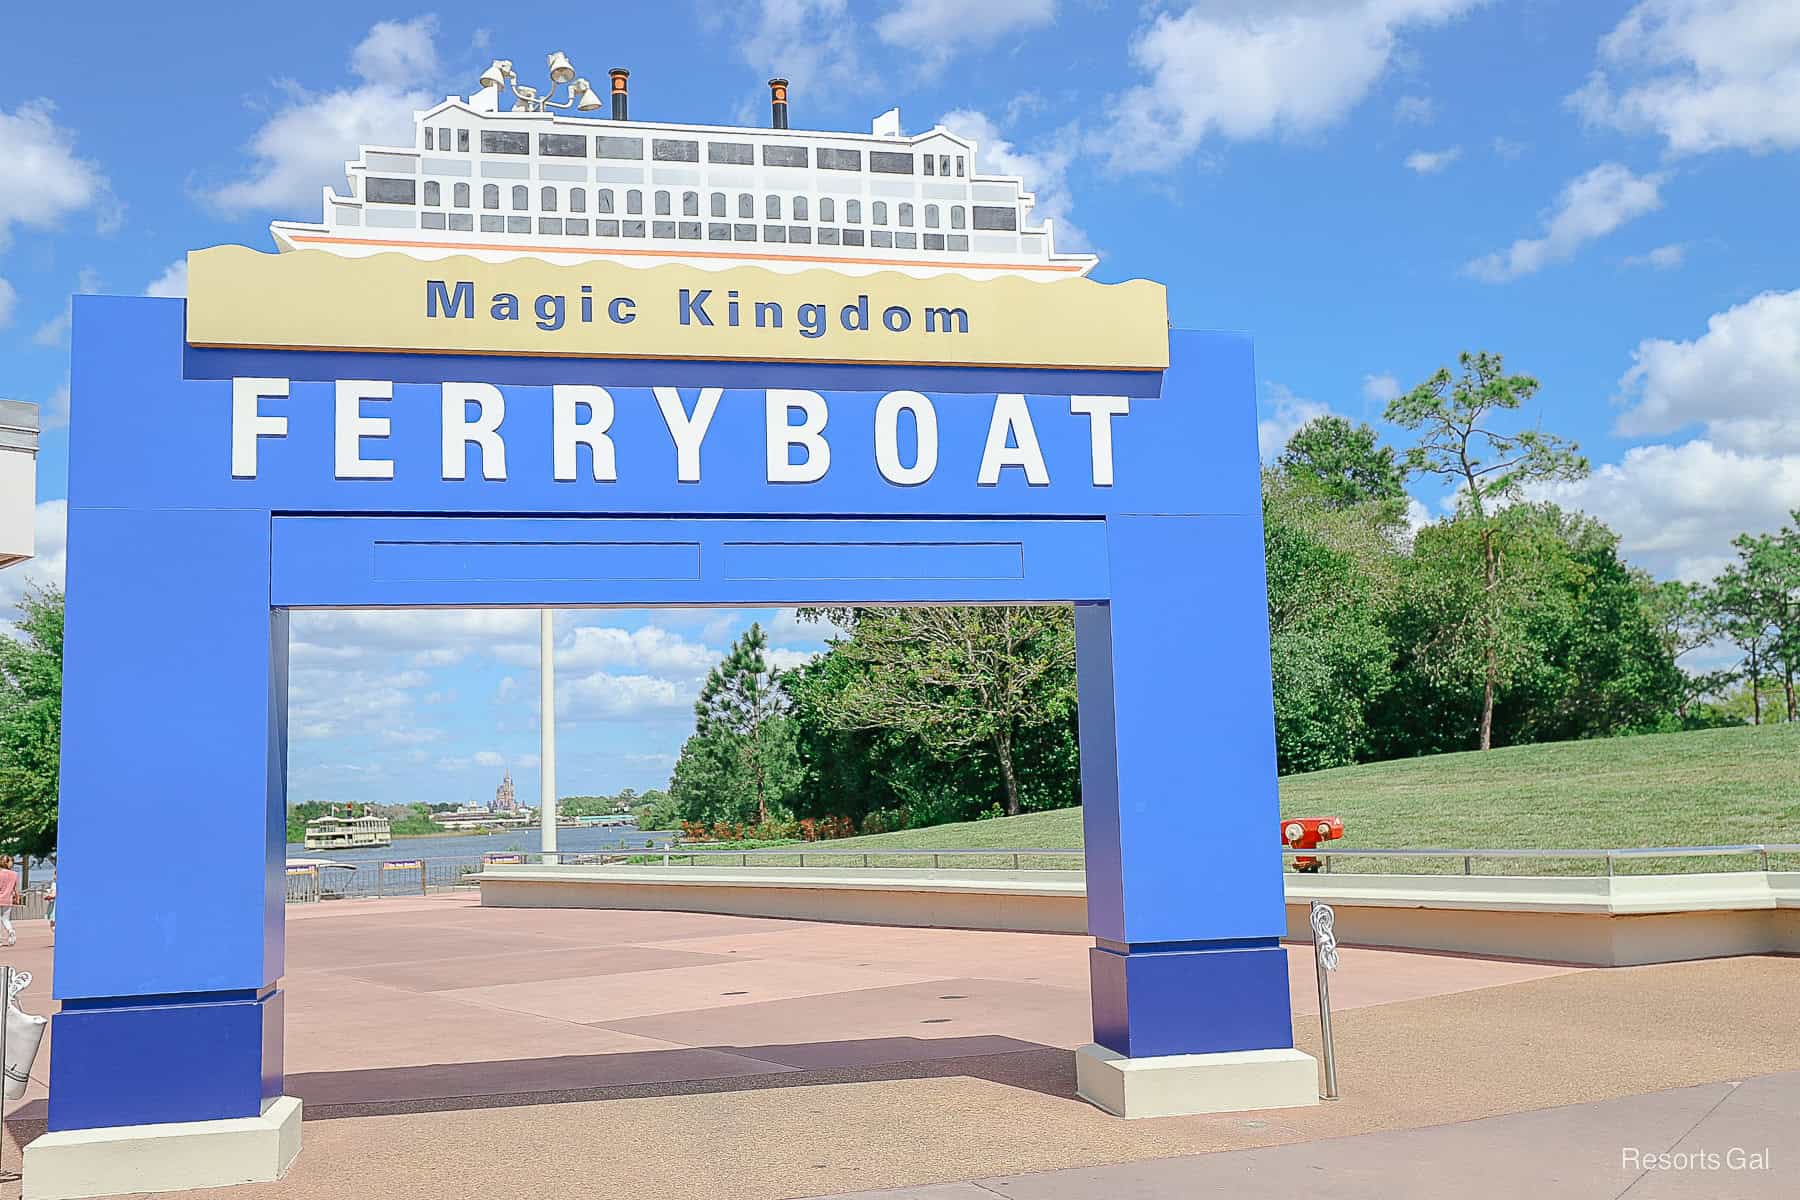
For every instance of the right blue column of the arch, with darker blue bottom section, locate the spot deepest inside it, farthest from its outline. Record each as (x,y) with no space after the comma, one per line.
(1180,796)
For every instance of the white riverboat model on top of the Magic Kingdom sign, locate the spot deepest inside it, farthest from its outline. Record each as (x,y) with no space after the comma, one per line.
(537,183)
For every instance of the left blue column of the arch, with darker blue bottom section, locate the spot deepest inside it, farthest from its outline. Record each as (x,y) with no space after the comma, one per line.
(174,827)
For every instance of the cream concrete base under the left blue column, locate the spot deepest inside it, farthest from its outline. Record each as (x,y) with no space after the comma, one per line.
(73,1165)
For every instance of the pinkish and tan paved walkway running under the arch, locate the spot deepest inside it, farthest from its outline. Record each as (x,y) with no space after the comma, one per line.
(444,1048)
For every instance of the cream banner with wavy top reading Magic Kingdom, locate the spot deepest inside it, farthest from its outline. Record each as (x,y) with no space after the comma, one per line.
(310,300)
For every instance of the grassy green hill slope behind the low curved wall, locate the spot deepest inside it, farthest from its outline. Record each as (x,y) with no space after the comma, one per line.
(1696,789)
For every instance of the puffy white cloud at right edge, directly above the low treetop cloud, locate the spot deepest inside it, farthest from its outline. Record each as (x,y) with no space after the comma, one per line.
(1741,379)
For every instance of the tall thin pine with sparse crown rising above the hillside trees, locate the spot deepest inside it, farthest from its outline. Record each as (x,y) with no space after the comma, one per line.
(1489,469)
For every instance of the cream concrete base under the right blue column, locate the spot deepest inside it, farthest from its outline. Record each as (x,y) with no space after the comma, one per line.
(1182,1086)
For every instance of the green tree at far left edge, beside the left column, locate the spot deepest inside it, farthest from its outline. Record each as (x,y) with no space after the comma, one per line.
(31,726)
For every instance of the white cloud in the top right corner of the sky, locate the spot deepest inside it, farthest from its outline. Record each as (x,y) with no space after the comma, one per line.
(1702,75)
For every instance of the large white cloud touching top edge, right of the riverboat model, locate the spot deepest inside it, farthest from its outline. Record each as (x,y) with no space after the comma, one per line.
(1261,69)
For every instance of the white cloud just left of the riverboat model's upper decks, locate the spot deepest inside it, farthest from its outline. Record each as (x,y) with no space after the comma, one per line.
(305,145)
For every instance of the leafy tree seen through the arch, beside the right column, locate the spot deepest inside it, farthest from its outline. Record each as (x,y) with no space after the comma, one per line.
(958,677)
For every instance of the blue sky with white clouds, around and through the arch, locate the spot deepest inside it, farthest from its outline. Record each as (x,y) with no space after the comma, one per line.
(1601,192)
